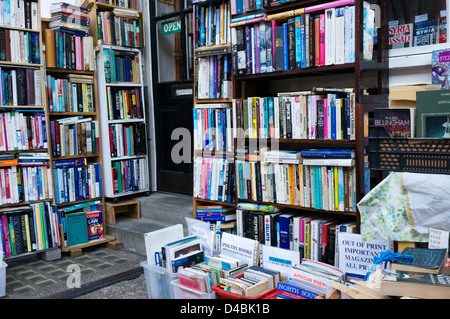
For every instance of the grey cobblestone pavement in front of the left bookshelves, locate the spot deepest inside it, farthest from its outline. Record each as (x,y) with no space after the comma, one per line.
(33,277)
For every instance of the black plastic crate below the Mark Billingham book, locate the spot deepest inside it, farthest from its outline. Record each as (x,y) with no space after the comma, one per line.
(418,155)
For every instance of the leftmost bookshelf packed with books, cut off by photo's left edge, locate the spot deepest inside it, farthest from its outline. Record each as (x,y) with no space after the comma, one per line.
(26,178)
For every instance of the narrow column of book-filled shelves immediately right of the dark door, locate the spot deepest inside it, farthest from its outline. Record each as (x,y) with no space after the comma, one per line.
(213,141)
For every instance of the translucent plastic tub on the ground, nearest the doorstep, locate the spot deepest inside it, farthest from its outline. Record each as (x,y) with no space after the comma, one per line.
(157,280)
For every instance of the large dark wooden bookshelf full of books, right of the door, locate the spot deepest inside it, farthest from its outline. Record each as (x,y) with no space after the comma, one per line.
(305,77)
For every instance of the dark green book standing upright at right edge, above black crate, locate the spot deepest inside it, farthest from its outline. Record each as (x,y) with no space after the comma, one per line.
(433,114)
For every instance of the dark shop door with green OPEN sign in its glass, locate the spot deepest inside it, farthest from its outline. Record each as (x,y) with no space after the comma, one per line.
(172,63)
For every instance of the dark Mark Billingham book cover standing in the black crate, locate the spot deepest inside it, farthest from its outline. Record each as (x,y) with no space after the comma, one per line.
(400,122)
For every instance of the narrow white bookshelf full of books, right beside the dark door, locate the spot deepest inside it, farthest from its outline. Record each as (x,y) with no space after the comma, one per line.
(121,98)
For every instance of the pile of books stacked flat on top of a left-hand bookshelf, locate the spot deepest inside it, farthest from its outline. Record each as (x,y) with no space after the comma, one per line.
(69,17)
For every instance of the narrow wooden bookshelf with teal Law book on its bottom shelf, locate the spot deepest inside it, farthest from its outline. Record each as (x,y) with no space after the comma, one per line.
(74,126)
